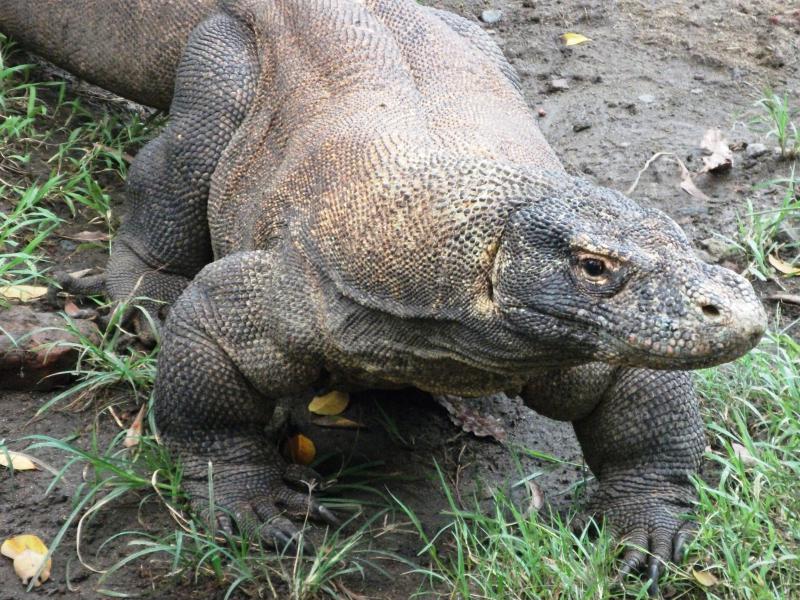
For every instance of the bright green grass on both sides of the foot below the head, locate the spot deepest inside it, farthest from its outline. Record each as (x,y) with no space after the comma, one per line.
(749,537)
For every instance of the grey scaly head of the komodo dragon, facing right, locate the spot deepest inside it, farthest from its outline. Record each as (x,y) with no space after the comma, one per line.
(585,270)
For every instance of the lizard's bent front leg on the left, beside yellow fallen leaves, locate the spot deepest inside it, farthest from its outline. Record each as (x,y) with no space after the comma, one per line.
(219,374)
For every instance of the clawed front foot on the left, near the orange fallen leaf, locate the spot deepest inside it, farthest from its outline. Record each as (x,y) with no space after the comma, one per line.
(260,500)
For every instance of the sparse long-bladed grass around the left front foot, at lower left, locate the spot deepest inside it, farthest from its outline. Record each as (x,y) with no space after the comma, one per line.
(114,475)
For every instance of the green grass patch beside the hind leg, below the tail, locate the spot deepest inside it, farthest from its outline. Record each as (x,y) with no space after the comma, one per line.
(75,157)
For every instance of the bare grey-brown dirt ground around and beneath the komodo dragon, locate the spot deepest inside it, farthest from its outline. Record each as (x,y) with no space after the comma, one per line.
(654,77)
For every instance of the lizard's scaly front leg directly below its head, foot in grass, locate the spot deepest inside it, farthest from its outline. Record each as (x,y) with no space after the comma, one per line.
(642,436)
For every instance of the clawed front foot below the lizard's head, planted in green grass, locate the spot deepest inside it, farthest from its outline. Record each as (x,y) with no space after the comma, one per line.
(650,528)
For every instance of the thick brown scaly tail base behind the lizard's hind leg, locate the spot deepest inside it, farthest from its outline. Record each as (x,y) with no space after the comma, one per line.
(131,47)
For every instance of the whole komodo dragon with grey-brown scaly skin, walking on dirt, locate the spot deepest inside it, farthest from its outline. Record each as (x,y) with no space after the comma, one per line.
(355,195)
